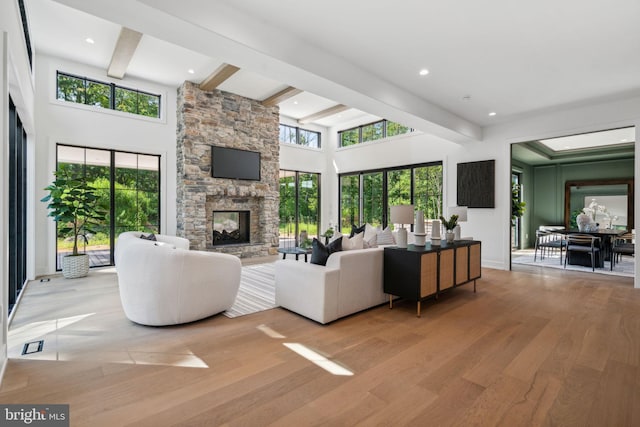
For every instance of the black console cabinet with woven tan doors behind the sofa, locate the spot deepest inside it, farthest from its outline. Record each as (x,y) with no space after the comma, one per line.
(420,272)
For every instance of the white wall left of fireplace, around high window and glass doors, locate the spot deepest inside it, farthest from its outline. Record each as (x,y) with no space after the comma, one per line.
(69,123)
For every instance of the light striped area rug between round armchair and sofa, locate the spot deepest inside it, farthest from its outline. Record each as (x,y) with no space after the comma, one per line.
(257,290)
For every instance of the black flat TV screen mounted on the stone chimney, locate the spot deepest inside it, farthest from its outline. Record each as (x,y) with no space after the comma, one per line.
(232,163)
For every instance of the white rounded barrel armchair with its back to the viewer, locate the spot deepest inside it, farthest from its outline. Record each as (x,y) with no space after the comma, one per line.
(162,282)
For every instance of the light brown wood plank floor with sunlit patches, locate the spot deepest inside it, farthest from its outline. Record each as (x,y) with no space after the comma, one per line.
(531,347)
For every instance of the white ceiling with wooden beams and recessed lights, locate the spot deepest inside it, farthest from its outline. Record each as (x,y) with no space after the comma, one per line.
(338,64)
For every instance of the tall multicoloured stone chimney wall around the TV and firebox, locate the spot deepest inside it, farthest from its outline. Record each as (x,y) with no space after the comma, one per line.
(224,119)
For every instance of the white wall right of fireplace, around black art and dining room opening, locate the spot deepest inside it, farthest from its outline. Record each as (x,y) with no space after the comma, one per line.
(491,226)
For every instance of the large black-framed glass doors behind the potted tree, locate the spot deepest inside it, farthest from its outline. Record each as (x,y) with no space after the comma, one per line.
(129,183)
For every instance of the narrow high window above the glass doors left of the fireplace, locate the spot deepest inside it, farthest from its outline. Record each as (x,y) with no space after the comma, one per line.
(86,91)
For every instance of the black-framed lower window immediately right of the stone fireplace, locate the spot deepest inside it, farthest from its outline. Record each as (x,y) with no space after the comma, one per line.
(299,207)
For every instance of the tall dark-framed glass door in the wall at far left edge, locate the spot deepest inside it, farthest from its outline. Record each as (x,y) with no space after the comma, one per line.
(17,227)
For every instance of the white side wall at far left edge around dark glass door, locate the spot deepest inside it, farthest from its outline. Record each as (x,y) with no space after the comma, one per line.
(16,81)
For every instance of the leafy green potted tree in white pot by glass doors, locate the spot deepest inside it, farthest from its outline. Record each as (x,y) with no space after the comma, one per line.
(73,204)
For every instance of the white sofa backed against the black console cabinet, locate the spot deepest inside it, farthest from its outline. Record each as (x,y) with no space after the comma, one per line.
(351,281)
